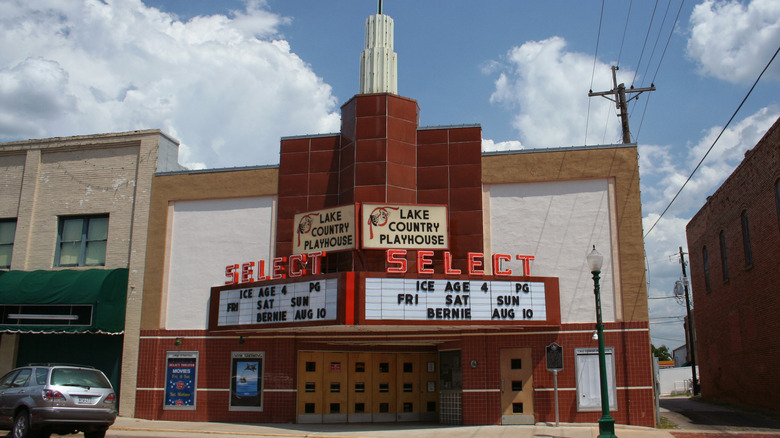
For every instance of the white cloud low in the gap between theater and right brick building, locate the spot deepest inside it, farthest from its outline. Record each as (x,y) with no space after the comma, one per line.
(662,176)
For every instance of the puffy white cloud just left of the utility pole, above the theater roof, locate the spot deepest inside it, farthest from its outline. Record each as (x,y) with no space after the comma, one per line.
(547,87)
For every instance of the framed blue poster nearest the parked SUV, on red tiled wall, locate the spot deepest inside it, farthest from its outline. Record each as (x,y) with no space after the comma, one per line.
(181,370)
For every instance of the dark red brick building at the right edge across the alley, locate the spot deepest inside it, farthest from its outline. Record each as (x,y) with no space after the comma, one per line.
(734,245)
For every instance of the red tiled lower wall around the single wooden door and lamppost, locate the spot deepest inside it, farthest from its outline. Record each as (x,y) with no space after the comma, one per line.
(635,404)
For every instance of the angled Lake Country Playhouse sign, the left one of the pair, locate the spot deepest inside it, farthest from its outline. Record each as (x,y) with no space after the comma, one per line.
(332,229)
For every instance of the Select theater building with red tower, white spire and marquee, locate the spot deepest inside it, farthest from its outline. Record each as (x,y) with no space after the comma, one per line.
(392,272)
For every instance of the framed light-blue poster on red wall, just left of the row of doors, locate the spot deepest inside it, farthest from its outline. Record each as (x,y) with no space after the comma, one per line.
(246,381)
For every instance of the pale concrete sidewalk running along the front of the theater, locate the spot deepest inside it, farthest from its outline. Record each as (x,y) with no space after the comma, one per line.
(128,427)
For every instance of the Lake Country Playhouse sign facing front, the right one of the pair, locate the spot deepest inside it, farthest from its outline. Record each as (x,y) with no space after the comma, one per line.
(404,226)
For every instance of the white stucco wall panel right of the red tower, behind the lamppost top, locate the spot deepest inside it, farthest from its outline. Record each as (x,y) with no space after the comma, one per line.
(558,223)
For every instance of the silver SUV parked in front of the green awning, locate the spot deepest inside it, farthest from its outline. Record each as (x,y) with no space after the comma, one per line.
(40,399)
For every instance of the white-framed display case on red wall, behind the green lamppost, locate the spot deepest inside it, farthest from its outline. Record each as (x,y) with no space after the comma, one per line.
(589,379)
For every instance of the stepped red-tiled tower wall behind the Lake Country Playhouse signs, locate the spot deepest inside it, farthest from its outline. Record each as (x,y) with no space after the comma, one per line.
(381,156)
